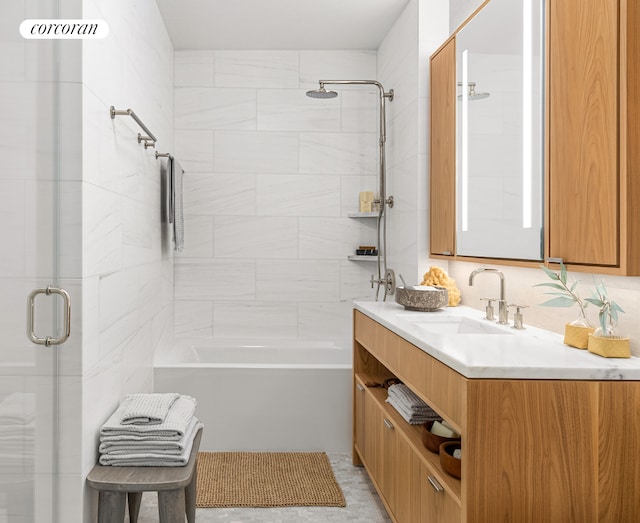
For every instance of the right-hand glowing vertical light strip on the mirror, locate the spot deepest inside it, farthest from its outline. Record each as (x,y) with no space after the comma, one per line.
(527,100)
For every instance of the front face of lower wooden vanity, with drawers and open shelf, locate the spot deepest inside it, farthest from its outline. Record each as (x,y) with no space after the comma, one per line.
(391,449)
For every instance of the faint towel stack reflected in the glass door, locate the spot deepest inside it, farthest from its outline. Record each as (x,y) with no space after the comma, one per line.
(17,432)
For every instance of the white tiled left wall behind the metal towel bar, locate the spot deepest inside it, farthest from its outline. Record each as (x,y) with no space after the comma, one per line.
(127,260)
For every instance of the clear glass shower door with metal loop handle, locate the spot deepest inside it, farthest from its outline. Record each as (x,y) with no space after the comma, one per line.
(30,258)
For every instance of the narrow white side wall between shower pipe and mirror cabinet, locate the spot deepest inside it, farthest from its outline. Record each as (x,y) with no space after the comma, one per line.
(403,64)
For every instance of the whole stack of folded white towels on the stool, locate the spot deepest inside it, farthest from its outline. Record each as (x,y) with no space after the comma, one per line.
(150,430)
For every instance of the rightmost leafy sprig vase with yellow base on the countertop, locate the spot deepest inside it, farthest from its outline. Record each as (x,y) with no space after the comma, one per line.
(605,341)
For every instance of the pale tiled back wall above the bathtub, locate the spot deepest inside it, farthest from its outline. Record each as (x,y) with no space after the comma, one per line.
(270,177)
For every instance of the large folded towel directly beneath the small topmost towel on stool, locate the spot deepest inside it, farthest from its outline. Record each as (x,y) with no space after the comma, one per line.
(173,427)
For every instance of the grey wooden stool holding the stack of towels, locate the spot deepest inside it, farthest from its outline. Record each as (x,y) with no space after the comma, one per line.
(176,488)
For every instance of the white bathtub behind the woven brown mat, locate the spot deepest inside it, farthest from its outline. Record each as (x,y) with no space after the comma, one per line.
(282,396)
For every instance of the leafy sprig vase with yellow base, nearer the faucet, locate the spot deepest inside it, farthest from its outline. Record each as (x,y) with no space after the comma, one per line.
(576,333)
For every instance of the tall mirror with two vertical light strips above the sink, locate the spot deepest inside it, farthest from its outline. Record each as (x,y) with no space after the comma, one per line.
(499,132)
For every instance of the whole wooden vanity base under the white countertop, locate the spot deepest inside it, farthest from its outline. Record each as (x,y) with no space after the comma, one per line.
(534,451)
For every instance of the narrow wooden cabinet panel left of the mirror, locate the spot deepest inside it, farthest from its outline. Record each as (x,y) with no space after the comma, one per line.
(442,150)
